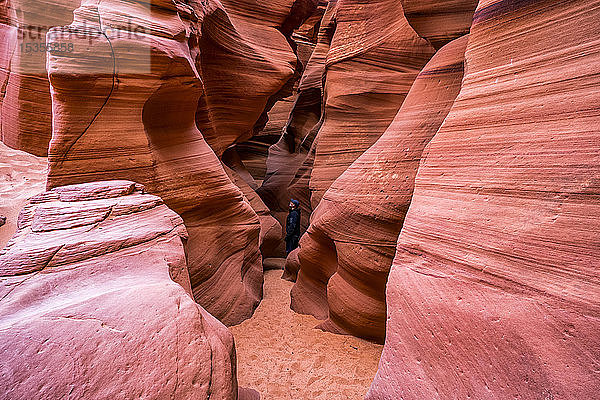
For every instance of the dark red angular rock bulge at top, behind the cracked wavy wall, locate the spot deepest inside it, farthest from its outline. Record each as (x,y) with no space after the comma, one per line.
(247,64)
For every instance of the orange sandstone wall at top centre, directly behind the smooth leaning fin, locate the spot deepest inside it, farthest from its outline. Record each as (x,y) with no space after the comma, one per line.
(374,58)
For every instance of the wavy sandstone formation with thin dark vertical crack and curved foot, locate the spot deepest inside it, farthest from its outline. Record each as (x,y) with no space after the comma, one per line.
(124,107)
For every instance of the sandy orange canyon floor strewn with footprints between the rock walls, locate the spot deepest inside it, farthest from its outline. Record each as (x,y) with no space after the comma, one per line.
(282,356)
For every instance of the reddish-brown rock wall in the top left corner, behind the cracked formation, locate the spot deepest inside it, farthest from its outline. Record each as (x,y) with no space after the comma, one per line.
(25,104)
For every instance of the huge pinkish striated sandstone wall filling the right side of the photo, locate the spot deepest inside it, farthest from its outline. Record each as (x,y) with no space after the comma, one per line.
(494,290)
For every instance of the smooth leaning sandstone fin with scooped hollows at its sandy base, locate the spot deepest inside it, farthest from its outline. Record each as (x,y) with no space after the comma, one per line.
(346,255)
